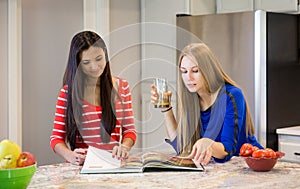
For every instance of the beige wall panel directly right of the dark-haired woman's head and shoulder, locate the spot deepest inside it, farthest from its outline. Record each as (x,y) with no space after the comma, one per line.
(125,51)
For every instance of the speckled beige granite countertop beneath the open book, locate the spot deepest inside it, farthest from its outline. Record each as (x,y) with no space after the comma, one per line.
(233,174)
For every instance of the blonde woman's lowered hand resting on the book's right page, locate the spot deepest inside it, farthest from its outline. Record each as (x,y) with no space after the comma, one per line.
(202,150)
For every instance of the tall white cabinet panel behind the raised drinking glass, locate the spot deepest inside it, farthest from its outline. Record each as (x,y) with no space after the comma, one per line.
(158,60)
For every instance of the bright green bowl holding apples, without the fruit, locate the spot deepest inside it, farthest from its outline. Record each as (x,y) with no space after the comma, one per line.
(17,178)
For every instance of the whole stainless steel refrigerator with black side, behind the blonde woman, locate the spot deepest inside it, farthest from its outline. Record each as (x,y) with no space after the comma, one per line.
(260,51)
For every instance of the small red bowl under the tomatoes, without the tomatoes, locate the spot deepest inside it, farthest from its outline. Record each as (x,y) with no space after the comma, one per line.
(262,164)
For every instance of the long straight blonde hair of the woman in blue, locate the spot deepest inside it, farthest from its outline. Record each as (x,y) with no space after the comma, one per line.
(189,125)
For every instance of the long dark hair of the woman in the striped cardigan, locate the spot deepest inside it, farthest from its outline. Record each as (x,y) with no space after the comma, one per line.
(83,41)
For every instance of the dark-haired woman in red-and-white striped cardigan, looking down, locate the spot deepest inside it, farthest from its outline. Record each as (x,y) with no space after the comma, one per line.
(93,108)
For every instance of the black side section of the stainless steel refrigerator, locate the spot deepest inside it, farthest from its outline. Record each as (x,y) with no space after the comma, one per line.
(283,69)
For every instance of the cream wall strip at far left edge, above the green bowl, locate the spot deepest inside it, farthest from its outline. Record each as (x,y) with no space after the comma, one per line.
(11,94)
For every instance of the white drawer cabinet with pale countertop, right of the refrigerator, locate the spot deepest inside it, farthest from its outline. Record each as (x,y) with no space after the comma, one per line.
(289,143)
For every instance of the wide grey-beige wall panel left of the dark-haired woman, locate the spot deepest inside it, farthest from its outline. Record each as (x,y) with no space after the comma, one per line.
(48,27)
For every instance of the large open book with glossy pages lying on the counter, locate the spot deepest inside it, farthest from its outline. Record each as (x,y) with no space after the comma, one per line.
(101,161)
